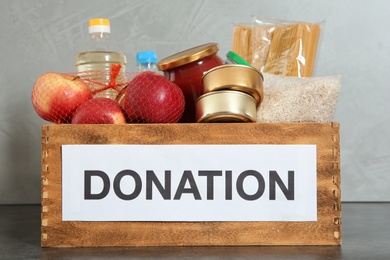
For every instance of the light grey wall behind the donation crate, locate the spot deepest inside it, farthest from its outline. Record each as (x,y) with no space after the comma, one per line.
(40,36)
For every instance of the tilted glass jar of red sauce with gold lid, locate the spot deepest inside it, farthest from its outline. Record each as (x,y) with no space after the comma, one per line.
(186,69)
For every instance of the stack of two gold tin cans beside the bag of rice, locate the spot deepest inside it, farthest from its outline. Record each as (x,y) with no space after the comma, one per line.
(232,93)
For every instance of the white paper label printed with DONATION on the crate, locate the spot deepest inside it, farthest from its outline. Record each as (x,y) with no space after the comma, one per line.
(189,183)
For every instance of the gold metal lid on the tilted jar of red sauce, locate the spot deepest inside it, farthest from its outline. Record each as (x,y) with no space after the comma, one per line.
(188,56)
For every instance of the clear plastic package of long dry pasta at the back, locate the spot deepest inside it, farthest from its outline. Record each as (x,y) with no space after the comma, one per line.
(278,47)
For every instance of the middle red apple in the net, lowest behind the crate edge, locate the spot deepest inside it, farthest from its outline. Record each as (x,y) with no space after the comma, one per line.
(99,111)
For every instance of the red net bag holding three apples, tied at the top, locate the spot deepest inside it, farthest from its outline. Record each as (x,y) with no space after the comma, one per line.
(144,97)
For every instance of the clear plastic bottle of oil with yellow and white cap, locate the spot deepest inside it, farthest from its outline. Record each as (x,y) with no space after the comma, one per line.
(100,61)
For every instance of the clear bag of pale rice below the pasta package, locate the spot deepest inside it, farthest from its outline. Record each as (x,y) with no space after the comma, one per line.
(299,99)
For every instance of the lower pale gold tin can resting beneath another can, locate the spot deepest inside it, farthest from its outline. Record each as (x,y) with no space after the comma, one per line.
(225,106)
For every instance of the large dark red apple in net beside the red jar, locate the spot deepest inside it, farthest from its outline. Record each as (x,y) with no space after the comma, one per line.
(152,98)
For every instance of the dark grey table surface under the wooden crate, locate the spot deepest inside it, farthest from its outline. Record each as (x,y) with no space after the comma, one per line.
(365,228)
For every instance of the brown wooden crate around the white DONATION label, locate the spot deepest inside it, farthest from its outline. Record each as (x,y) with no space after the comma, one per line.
(326,230)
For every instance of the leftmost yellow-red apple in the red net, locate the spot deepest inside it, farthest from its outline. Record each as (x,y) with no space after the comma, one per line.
(56,96)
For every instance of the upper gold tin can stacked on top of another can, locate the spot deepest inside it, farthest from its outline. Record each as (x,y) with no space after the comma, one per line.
(235,77)
